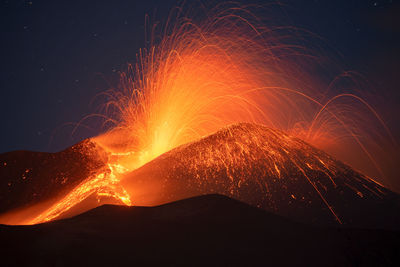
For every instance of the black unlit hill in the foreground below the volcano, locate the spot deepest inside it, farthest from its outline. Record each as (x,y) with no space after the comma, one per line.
(205,230)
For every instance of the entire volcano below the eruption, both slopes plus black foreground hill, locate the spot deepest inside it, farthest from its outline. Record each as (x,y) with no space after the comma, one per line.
(244,195)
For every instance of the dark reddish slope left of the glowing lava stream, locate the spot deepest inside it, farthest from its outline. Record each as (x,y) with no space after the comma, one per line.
(28,178)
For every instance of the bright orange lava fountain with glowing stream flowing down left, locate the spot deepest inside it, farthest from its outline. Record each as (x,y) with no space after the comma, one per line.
(202,76)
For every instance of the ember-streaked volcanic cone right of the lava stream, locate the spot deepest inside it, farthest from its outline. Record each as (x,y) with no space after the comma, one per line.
(268,169)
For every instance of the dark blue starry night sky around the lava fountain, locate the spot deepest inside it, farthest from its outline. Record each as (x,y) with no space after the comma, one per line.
(56,56)
